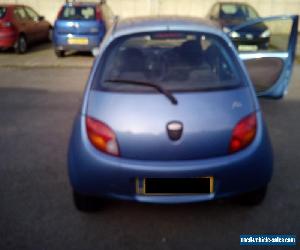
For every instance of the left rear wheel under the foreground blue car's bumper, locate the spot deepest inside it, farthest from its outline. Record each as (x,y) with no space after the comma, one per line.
(85,203)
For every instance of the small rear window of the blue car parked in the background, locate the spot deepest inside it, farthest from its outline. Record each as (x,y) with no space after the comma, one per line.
(78,13)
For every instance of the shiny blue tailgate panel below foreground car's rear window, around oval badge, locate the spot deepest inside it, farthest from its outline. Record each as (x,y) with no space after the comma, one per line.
(141,130)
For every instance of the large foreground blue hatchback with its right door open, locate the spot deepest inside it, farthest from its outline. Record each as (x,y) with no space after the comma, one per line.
(170,115)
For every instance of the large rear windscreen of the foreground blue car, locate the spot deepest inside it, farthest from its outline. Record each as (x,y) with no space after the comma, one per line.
(177,61)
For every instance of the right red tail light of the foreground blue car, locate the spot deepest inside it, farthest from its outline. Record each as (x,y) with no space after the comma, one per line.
(243,133)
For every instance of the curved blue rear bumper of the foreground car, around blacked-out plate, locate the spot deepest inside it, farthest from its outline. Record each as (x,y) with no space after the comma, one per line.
(94,173)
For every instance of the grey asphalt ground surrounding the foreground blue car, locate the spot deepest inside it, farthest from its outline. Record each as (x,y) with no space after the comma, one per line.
(37,107)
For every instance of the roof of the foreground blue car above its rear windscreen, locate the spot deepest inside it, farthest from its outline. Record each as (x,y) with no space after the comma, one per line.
(149,22)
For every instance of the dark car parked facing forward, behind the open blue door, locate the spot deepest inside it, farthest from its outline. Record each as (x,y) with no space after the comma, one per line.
(230,14)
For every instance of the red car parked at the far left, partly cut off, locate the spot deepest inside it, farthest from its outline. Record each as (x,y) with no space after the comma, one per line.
(21,26)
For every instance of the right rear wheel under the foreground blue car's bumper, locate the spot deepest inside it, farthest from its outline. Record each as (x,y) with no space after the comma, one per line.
(253,198)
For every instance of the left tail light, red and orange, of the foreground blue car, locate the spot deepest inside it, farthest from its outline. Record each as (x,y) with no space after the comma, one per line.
(102,137)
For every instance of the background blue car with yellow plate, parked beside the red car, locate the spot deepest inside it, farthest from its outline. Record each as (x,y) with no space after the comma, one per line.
(80,27)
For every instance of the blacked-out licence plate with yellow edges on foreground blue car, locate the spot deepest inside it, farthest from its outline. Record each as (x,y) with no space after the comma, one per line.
(175,186)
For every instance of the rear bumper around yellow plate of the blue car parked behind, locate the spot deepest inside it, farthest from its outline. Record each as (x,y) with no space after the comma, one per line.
(61,42)
